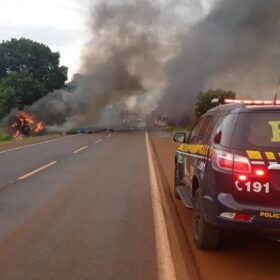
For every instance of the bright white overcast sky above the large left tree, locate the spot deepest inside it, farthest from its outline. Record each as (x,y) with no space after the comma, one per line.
(61,24)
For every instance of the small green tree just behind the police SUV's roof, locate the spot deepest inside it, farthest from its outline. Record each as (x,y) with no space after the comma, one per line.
(204,99)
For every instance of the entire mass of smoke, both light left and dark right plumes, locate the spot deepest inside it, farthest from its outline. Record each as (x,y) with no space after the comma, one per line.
(155,56)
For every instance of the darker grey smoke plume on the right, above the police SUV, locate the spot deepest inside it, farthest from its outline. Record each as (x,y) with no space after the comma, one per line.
(236,47)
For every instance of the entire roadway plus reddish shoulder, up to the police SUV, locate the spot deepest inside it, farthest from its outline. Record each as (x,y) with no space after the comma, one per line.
(86,207)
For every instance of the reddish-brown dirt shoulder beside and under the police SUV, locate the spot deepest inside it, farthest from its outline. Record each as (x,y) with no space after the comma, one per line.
(244,256)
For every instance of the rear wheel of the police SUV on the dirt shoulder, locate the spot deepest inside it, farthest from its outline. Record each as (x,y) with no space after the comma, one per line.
(206,236)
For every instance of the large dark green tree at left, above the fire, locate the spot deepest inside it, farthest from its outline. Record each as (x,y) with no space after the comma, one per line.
(28,71)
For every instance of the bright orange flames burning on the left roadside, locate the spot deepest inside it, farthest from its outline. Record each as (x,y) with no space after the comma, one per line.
(24,124)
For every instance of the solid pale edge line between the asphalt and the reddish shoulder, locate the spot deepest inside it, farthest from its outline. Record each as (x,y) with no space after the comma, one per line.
(164,258)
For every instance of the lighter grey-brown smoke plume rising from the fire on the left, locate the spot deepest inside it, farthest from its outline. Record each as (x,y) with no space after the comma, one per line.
(124,63)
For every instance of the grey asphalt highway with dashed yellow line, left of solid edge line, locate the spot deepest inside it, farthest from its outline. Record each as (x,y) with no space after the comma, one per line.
(77,207)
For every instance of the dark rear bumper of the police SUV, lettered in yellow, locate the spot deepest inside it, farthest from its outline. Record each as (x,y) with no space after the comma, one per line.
(225,203)
